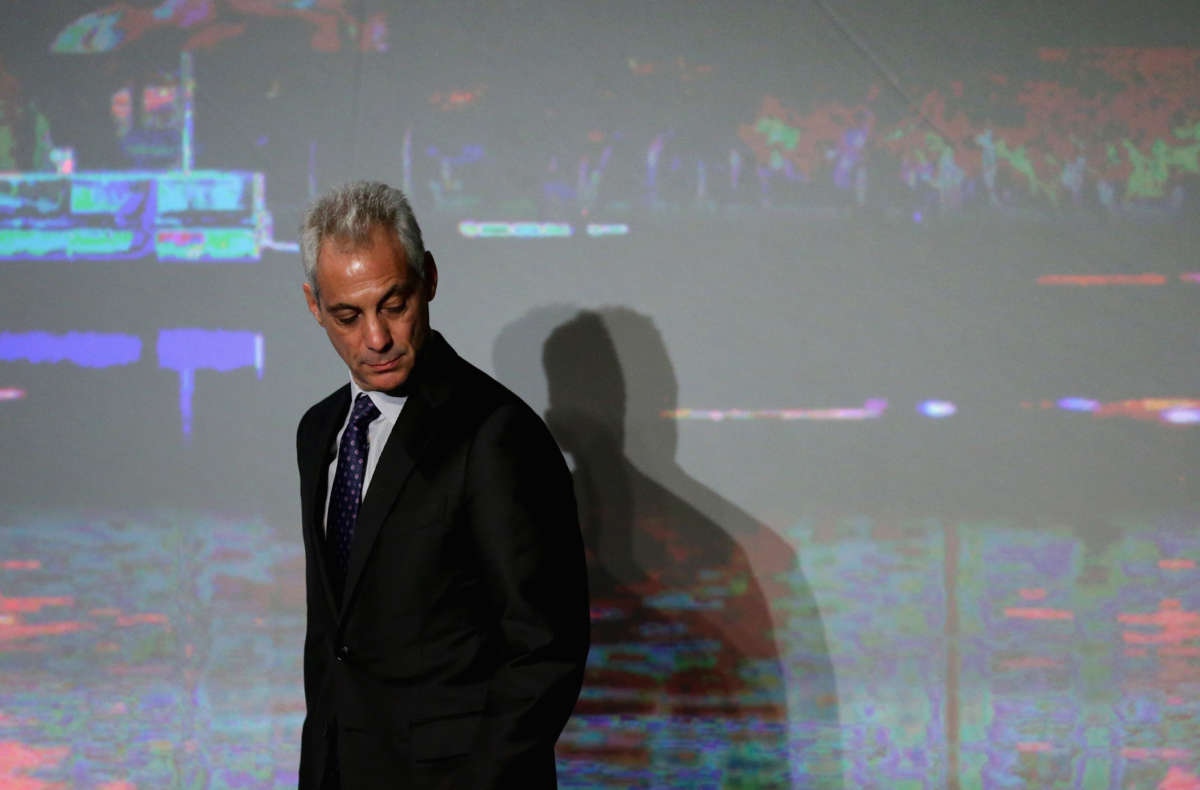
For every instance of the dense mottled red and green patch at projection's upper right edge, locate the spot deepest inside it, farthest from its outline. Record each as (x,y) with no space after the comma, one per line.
(1114,131)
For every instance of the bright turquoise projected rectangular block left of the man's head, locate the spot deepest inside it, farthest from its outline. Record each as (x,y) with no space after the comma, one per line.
(200,216)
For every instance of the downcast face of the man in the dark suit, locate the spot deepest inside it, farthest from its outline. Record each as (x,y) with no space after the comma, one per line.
(374,307)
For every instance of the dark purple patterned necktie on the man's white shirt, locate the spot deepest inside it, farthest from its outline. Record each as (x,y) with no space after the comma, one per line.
(347,492)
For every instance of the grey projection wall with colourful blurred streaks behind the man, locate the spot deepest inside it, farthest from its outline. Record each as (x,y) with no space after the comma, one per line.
(868,331)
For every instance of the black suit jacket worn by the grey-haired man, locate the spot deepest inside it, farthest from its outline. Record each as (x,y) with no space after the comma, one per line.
(455,654)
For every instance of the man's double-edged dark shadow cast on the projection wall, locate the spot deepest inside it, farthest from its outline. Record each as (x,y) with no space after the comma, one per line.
(687,673)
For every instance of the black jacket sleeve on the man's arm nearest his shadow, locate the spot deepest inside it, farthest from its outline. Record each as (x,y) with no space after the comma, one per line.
(521,506)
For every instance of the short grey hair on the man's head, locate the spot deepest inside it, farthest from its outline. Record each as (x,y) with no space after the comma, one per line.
(350,213)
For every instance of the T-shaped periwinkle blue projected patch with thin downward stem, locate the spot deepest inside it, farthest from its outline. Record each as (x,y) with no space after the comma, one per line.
(187,351)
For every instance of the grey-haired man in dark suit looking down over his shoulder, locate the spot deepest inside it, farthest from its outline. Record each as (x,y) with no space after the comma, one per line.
(447,592)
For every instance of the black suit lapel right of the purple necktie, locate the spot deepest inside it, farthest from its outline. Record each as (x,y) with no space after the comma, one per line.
(410,438)
